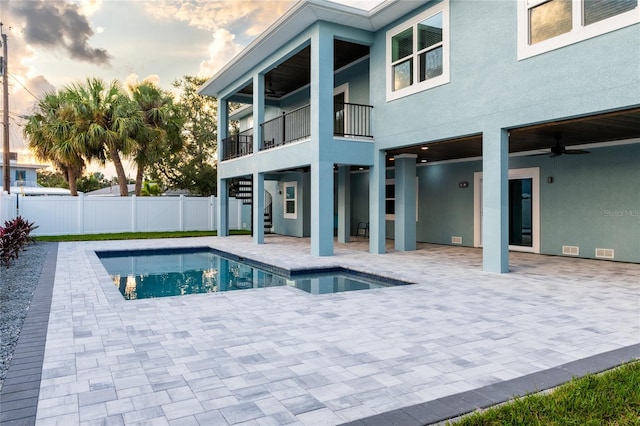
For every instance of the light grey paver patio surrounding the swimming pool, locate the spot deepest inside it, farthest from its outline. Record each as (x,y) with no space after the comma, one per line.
(279,356)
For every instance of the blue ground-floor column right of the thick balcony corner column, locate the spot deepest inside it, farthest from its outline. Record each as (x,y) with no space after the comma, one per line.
(377,221)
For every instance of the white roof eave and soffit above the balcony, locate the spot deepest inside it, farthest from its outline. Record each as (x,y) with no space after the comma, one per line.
(295,20)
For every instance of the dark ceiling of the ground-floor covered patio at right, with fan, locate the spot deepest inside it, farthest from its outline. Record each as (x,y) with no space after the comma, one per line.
(606,127)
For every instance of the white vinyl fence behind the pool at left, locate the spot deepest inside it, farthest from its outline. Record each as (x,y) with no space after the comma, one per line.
(64,215)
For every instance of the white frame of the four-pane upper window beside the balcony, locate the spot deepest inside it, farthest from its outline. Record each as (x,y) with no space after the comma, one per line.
(416,87)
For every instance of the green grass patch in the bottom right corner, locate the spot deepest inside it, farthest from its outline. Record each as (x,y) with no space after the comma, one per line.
(611,398)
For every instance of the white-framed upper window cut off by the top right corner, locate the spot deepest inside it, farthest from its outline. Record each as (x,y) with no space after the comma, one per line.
(545,25)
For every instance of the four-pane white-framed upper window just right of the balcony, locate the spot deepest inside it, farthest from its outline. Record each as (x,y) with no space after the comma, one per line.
(418,53)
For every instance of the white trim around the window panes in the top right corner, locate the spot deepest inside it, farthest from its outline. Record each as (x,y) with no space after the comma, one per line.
(578,33)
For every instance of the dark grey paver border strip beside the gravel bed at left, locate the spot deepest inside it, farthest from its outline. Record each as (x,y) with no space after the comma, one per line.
(21,389)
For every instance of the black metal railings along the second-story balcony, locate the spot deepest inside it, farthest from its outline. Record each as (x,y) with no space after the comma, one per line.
(350,121)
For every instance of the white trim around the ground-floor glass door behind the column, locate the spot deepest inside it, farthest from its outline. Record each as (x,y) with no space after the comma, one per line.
(532,173)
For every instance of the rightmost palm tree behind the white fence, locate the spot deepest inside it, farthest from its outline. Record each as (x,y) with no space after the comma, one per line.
(161,131)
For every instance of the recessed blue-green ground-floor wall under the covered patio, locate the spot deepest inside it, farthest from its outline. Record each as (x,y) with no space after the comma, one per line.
(591,203)
